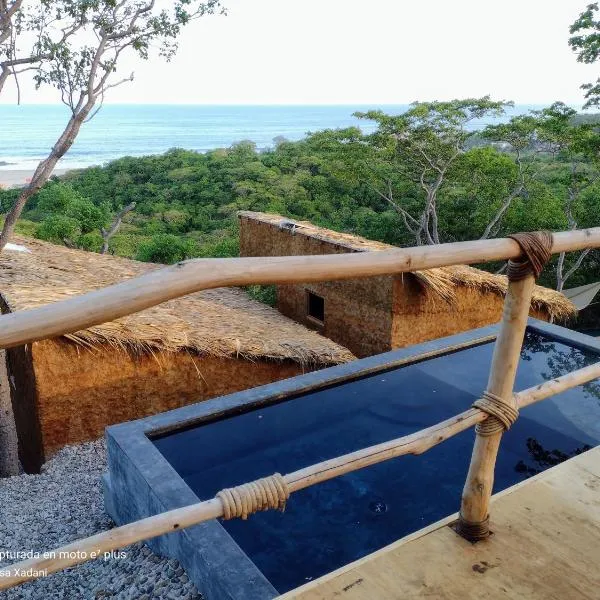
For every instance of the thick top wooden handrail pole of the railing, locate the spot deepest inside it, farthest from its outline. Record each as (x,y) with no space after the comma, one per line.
(133,295)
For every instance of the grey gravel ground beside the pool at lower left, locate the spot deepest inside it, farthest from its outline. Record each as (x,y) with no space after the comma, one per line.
(64,503)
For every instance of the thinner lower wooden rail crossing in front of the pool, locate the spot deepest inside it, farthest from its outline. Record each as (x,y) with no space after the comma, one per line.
(95,546)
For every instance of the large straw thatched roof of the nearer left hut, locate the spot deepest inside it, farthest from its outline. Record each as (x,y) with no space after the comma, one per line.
(224,322)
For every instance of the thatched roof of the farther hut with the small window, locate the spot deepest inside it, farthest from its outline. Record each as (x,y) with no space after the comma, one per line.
(441,283)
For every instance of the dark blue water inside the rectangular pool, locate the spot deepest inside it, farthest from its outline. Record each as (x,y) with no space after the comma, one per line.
(334,523)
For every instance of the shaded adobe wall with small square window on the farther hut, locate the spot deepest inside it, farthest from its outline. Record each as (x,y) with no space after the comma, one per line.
(357,312)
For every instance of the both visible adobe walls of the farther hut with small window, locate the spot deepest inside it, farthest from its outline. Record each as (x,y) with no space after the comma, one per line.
(370,316)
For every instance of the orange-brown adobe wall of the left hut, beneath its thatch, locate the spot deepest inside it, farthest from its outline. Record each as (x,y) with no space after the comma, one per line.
(70,394)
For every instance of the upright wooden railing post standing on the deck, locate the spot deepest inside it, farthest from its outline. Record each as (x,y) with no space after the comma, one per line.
(477,492)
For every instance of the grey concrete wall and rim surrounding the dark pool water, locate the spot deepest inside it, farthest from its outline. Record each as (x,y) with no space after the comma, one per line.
(141,482)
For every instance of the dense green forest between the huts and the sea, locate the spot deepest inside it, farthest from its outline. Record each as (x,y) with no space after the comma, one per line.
(426,176)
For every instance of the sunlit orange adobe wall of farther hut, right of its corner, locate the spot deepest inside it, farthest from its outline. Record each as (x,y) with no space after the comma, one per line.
(417,319)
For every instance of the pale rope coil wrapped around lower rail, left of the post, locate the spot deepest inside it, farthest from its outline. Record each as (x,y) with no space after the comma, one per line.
(263,494)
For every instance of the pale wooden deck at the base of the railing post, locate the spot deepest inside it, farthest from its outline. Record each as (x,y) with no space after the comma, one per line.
(546,545)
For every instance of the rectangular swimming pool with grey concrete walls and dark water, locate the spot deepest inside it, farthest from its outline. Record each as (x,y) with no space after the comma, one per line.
(289,425)
